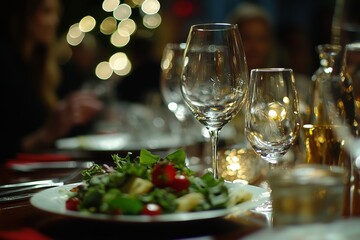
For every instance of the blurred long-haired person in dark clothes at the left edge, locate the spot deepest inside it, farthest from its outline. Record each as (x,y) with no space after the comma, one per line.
(33,117)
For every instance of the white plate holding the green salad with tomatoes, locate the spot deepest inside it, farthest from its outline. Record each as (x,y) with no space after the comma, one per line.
(53,200)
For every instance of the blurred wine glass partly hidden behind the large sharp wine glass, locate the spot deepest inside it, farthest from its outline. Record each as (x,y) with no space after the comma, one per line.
(171,67)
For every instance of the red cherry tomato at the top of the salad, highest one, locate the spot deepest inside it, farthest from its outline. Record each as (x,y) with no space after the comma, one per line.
(163,174)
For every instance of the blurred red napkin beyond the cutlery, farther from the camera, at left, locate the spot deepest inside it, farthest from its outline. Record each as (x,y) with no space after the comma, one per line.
(37,157)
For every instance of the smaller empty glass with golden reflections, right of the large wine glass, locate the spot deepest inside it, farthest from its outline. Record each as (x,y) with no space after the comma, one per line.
(272,120)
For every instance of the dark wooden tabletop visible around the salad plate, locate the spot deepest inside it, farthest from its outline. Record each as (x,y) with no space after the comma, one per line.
(21,214)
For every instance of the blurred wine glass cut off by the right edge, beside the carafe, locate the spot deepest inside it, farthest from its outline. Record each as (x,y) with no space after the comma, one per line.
(342,100)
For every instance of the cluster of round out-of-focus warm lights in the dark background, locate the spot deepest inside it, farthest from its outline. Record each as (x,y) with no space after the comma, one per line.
(120,27)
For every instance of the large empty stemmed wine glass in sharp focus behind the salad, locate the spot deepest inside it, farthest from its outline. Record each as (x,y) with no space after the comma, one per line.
(214,78)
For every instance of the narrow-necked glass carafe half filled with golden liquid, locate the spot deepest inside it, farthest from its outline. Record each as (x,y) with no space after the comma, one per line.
(321,143)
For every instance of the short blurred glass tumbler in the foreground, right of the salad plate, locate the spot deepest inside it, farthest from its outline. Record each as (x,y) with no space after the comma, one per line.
(295,194)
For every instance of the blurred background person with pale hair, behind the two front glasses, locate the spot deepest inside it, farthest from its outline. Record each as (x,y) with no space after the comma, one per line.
(262,50)
